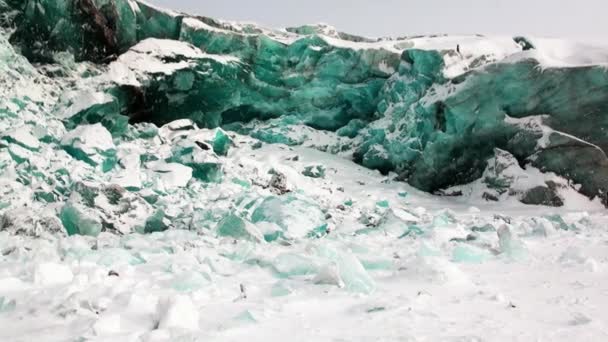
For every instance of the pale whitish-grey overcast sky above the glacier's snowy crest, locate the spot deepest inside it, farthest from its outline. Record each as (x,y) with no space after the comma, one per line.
(583,20)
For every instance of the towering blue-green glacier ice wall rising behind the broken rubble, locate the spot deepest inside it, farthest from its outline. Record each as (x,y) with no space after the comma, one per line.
(394,106)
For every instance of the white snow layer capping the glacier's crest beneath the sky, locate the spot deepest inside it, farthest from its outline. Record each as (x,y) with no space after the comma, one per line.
(475,50)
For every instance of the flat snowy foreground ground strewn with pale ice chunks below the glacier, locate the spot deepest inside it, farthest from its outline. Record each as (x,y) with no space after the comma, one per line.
(546,283)
